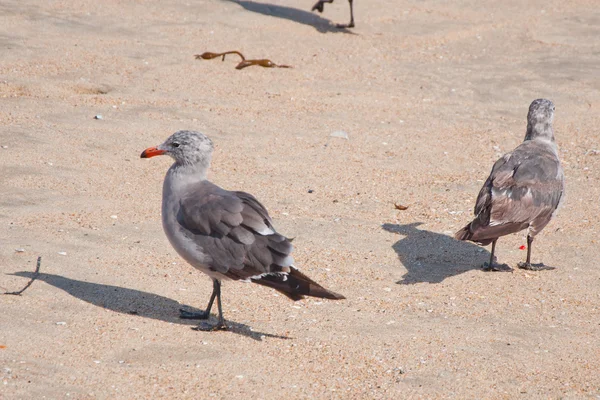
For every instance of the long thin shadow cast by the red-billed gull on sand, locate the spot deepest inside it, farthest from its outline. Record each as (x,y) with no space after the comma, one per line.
(135,302)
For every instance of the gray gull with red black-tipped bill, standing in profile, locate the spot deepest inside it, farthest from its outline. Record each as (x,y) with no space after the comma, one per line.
(227,235)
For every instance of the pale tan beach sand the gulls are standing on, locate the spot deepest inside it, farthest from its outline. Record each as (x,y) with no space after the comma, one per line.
(431,93)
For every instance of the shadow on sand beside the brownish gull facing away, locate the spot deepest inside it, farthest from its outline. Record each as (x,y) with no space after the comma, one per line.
(432,257)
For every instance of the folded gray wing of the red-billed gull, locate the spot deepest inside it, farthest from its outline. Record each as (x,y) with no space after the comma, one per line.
(235,230)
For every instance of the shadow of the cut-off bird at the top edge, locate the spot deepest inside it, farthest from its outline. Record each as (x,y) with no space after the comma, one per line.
(293,14)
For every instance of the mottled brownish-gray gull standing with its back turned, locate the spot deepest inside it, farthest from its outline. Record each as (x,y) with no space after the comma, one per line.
(523,190)
